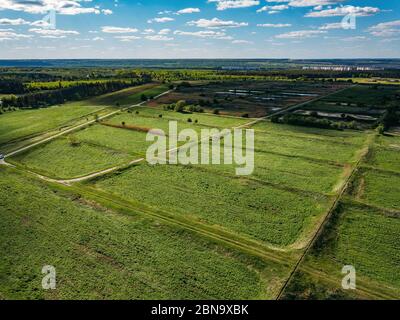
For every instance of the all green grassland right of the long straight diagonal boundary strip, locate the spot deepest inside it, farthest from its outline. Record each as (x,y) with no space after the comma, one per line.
(363,232)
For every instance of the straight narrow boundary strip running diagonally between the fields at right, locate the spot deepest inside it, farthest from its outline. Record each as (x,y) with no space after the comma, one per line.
(321,227)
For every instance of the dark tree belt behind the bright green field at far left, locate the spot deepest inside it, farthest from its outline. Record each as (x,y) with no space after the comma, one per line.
(53,97)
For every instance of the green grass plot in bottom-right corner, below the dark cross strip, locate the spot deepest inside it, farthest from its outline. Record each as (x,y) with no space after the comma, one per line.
(373,252)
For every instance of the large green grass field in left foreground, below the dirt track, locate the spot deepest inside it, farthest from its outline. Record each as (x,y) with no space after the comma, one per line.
(100,254)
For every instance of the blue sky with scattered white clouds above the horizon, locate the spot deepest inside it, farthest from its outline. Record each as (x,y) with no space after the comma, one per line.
(200,29)
